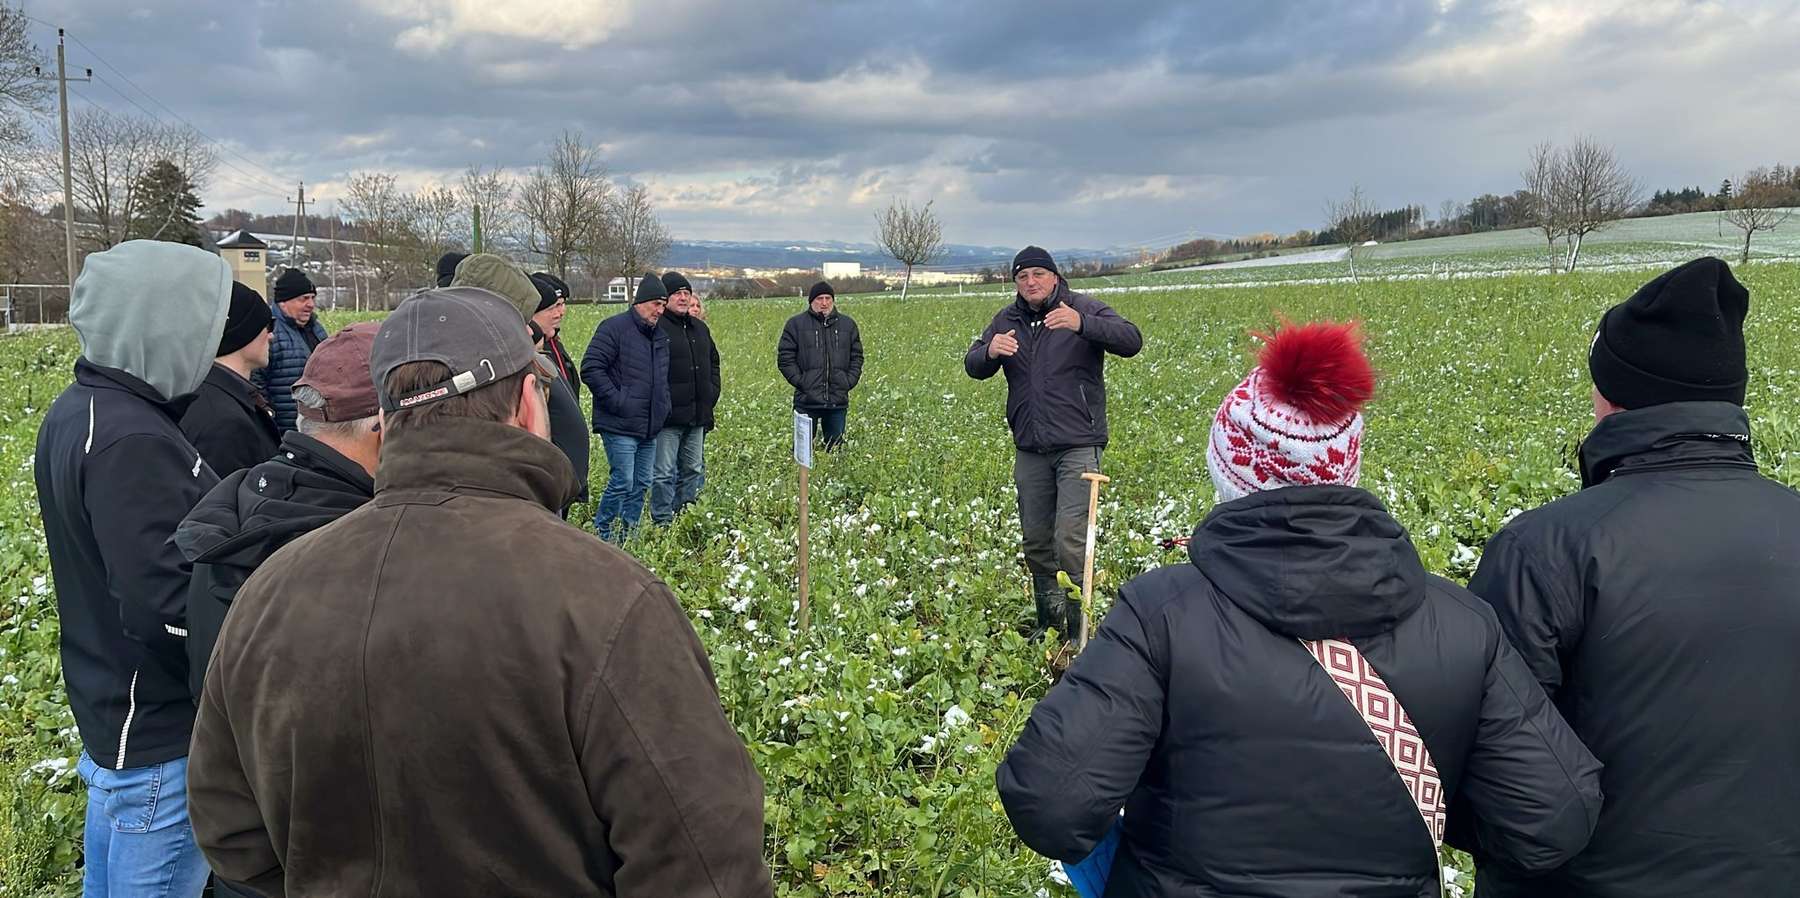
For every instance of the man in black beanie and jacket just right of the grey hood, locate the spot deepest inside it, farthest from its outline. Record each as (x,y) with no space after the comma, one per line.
(231,422)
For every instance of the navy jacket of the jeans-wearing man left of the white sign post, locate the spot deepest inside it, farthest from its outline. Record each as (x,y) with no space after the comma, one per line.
(627,368)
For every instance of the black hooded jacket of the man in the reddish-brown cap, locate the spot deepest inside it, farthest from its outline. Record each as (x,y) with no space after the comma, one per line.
(247,517)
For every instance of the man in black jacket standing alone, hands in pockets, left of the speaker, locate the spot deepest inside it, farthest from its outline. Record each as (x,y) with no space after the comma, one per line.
(822,359)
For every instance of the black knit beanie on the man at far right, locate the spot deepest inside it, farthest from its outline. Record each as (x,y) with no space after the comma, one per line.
(1677,339)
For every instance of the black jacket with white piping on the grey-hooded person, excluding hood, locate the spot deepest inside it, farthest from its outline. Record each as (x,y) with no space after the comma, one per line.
(116,476)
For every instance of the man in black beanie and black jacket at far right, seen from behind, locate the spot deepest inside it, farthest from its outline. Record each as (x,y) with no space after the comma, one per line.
(1660,609)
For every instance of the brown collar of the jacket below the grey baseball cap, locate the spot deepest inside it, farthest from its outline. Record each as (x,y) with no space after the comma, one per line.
(474,458)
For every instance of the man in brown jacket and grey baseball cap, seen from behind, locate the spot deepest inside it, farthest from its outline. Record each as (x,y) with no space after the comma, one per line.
(453,692)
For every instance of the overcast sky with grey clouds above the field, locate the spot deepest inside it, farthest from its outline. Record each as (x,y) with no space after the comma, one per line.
(1029,121)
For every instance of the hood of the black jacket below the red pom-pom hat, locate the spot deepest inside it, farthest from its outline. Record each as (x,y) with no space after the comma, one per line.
(1311,562)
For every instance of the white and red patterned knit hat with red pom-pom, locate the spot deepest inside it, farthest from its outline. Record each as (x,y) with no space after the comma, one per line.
(1297,420)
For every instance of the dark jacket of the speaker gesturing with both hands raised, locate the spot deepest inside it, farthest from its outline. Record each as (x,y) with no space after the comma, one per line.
(1056,382)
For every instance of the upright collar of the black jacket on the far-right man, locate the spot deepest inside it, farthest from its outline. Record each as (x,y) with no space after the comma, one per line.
(1668,436)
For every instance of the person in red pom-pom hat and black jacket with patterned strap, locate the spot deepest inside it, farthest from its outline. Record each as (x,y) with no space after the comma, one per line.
(1300,708)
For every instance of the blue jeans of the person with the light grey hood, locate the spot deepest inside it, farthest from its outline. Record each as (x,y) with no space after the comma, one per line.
(138,840)
